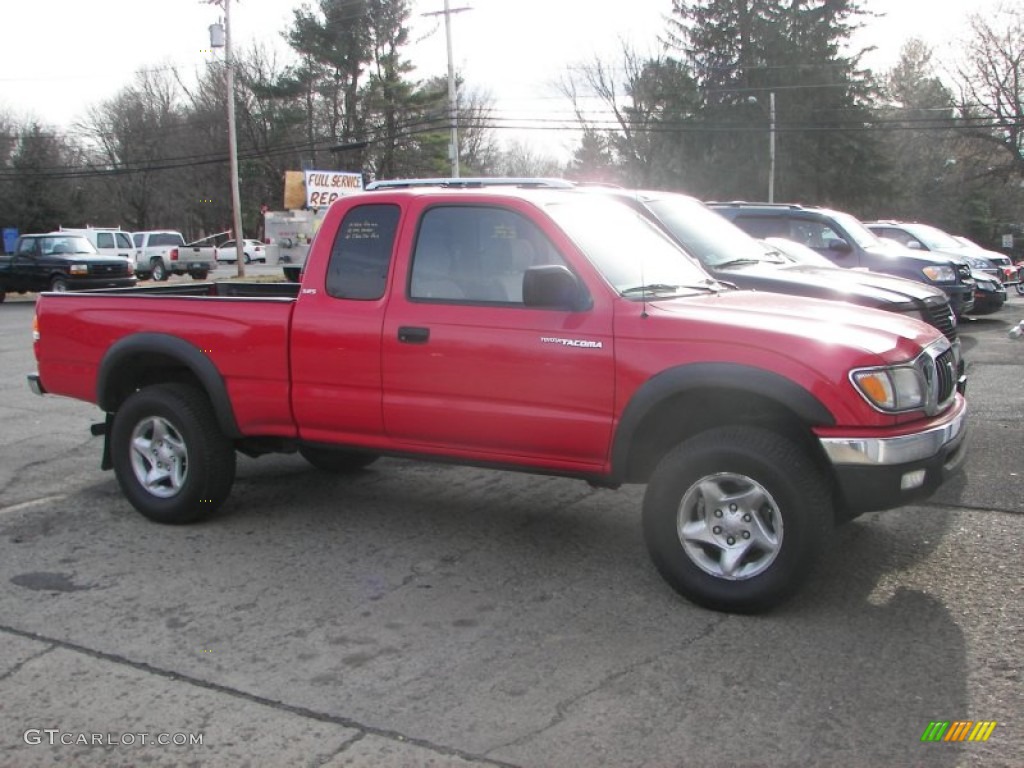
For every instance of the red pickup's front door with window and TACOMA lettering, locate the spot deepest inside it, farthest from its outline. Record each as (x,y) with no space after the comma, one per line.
(470,369)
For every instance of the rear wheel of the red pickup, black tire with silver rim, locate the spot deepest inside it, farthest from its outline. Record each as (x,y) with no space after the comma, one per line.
(172,425)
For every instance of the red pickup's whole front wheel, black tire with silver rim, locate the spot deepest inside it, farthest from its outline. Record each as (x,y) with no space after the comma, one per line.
(752,551)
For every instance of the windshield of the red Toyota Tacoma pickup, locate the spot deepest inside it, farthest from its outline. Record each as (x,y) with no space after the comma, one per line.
(629,251)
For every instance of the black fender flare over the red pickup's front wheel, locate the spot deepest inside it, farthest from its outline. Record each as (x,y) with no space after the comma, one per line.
(678,380)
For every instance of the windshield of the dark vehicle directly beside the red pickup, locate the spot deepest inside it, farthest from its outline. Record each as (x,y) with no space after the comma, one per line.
(709,236)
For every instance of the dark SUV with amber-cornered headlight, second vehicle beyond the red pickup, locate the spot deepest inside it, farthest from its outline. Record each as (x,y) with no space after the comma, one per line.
(844,241)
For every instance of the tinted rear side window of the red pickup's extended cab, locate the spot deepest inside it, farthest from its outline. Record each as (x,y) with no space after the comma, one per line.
(361,257)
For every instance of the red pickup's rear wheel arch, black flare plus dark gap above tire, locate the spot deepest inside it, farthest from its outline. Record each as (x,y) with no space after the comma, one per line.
(146,359)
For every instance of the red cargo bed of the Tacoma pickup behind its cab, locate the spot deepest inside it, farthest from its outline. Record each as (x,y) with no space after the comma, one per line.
(242,329)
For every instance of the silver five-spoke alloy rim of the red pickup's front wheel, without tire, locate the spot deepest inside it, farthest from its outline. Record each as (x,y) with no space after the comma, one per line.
(730,526)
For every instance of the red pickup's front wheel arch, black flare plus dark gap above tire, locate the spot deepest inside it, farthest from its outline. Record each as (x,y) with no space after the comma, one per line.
(685,401)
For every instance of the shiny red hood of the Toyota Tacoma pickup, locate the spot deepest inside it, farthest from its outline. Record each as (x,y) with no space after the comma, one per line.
(773,322)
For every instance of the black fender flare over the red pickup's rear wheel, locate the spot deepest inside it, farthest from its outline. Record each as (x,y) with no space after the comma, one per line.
(176,349)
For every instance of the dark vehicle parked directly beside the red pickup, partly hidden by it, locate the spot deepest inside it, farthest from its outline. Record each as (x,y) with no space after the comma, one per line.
(733,257)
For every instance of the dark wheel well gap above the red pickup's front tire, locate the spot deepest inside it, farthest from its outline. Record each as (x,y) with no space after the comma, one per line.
(695,411)
